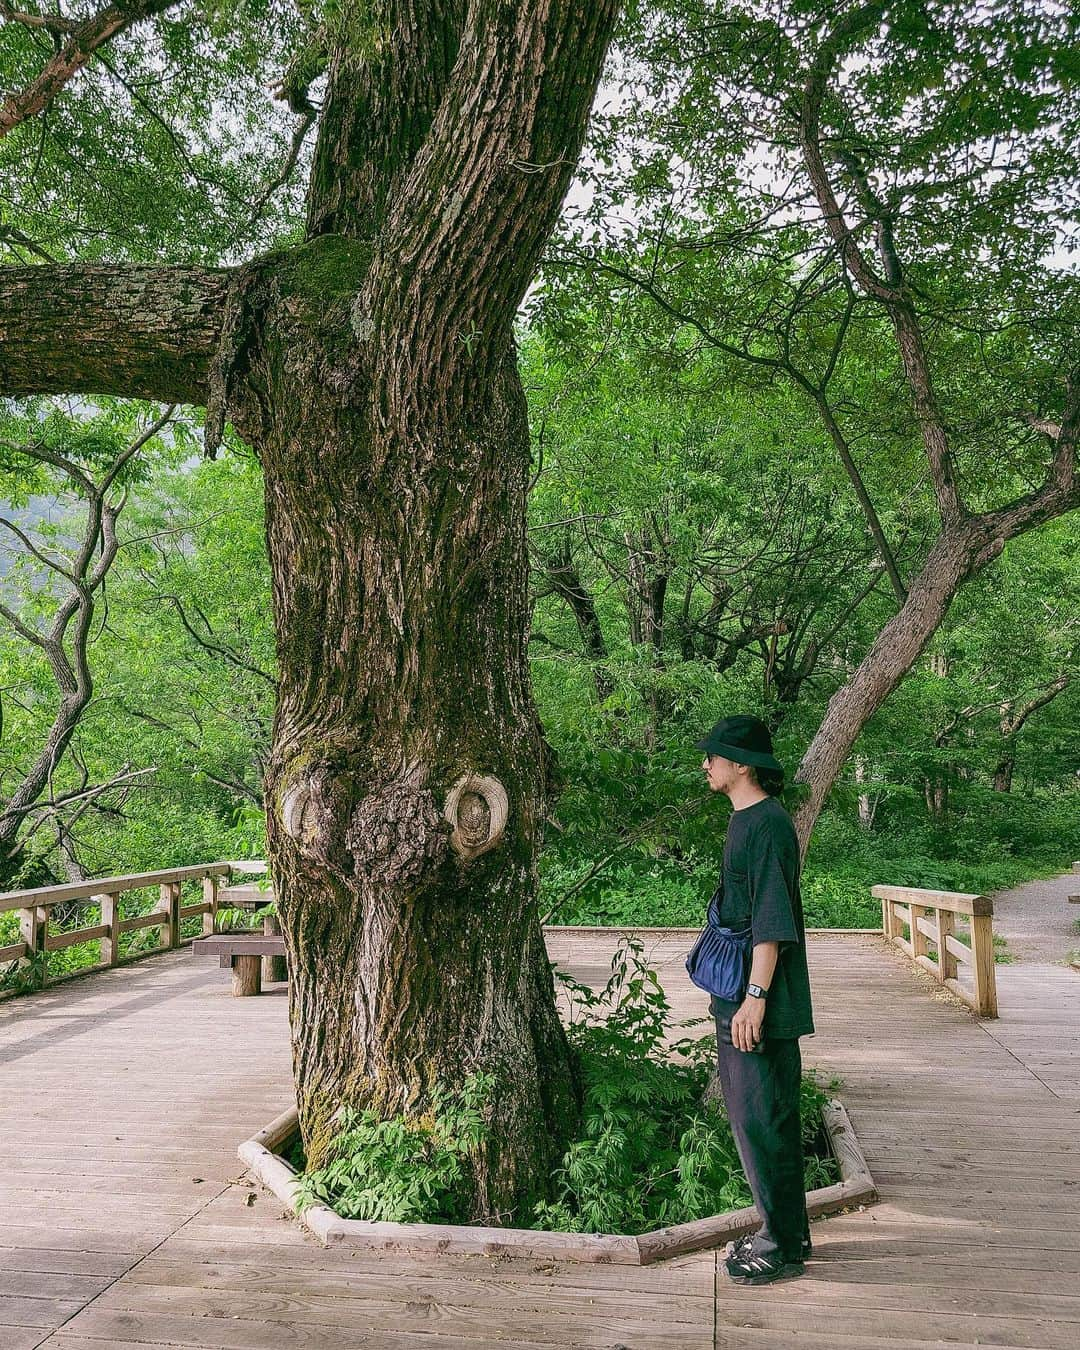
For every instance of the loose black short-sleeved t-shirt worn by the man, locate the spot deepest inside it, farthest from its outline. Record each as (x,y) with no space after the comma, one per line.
(762,889)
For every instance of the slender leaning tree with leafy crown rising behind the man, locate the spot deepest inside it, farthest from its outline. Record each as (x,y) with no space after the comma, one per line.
(835,192)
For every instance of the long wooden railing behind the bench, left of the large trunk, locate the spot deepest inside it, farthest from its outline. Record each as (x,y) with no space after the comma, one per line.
(36,912)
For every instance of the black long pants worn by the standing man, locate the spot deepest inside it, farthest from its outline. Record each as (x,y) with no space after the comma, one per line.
(762,1096)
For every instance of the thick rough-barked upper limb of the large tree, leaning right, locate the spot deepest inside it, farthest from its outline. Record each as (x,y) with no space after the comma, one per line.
(465,232)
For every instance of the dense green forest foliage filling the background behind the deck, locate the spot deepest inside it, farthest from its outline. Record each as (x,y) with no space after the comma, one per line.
(712,408)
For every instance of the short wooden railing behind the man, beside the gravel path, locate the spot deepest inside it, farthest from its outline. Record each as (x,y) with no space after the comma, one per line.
(931,919)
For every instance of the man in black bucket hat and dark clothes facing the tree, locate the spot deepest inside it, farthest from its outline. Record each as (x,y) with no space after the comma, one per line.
(758,1039)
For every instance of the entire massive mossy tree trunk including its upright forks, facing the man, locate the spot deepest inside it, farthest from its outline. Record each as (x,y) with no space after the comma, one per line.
(375,369)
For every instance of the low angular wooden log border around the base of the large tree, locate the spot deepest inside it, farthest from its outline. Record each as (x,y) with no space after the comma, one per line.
(263,1158)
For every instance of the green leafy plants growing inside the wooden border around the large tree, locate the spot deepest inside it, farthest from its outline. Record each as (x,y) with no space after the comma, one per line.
(653,1150)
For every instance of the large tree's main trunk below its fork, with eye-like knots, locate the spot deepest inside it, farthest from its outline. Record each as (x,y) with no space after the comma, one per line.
(416,951)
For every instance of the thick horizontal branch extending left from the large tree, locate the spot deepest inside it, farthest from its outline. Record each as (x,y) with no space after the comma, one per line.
(136,333)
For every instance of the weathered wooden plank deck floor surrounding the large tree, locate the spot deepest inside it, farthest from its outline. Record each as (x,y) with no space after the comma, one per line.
(125,1220)
